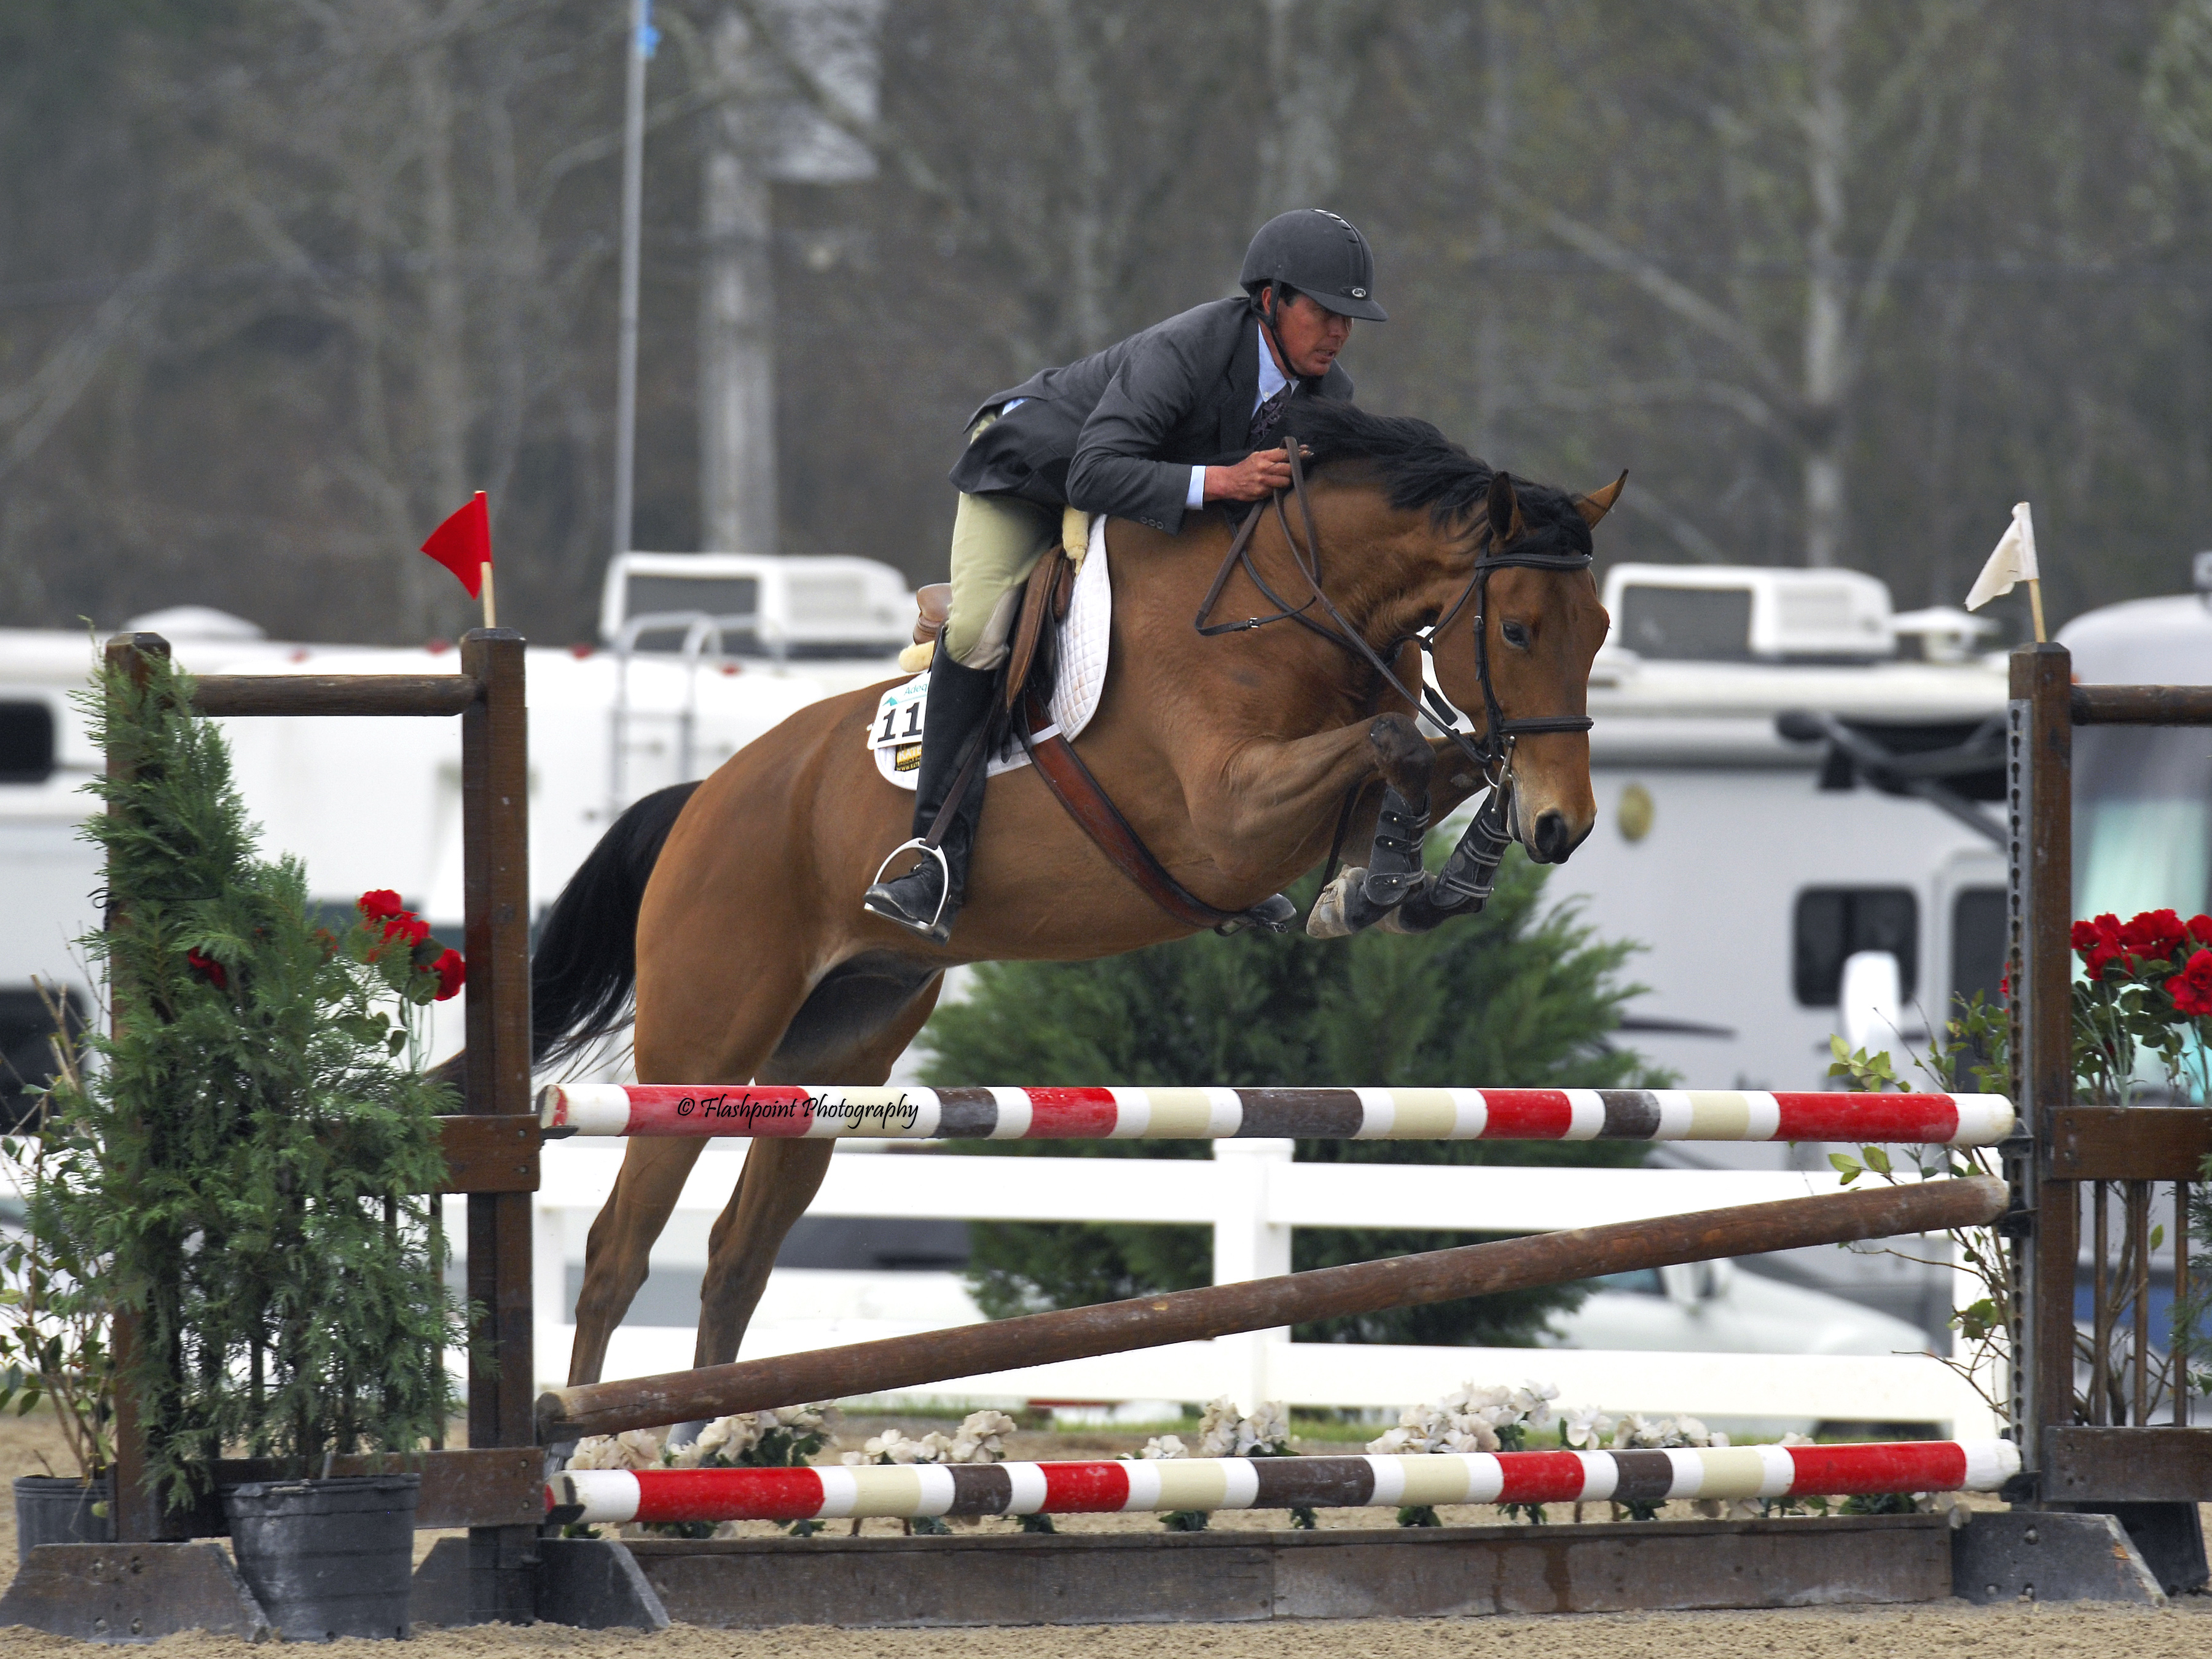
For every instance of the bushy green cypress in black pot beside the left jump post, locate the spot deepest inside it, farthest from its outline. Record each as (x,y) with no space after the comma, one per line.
(251,1160)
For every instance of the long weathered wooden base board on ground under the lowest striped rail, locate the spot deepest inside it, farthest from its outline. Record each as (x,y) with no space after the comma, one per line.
(1386,1574)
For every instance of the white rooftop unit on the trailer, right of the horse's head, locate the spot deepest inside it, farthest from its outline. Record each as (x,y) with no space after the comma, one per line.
(1749,614)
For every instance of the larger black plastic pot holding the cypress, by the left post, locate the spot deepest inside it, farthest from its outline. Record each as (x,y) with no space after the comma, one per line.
(328,1558)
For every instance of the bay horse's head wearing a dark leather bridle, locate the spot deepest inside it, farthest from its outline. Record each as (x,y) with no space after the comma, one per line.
(1516,651)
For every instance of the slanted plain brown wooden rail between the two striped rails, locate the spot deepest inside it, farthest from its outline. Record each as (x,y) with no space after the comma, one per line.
(1264,1304)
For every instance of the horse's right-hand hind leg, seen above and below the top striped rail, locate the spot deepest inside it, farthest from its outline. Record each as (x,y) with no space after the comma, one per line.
(782,1176)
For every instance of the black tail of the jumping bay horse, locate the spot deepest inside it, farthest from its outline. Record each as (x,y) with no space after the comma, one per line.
(585,966)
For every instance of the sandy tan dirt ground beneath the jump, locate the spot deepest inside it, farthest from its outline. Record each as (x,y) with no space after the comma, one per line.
(1948,1629)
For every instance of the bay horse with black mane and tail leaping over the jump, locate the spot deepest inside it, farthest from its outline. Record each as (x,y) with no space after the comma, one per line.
(731,908)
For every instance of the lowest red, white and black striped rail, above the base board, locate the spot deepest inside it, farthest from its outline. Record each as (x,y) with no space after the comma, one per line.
(910,1492)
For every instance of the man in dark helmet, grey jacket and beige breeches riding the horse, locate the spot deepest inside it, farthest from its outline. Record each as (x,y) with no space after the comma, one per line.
(1154,430)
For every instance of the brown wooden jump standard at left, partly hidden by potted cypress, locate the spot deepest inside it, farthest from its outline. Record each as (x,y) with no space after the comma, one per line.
(494,1488)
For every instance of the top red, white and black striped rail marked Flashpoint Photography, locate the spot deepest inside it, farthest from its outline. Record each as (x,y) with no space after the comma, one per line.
(1235,1114)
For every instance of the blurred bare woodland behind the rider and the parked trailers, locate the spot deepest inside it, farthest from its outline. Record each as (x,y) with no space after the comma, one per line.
(1837,280)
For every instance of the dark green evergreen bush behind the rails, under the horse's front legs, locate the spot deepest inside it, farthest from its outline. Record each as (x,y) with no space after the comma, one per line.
(1514,994)
